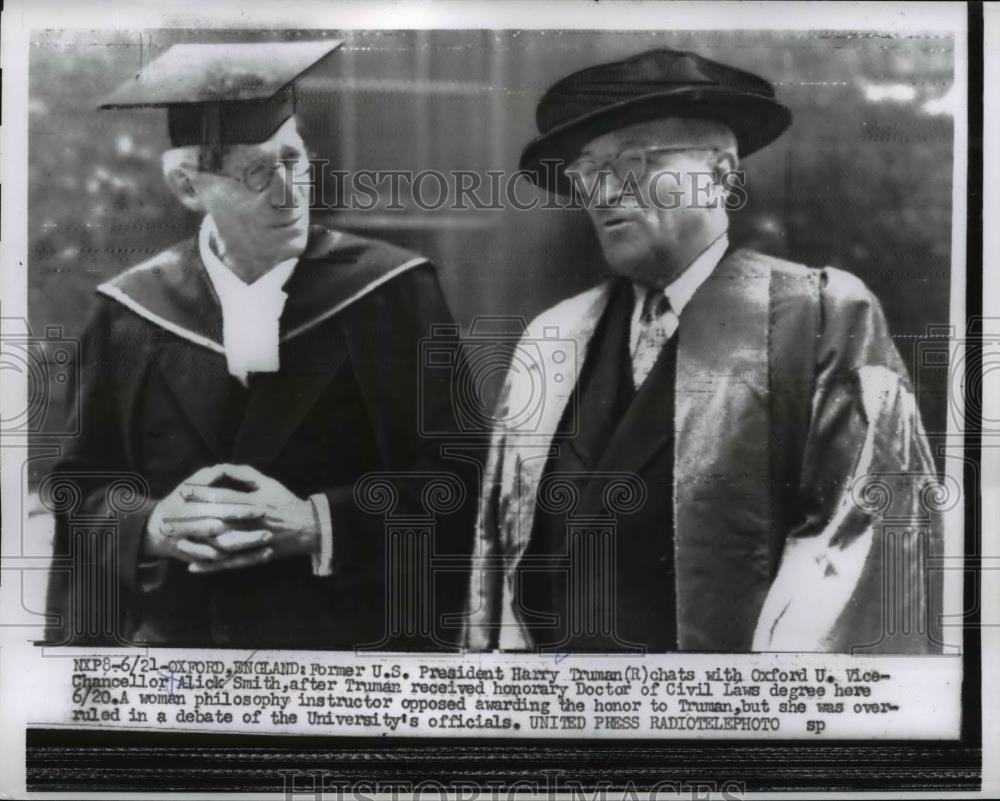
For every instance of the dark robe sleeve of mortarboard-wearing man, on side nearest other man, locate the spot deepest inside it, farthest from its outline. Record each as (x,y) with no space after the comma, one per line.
(405,402)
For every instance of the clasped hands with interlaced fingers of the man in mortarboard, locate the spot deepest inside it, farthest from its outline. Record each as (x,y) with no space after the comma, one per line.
(215,528)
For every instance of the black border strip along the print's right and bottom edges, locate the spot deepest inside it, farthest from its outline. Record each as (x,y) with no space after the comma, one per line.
(62,761)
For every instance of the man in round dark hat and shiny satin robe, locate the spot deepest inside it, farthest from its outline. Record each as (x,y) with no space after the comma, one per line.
(696,479)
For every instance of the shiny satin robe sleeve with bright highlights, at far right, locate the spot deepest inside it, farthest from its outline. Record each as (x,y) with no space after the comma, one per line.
(853,575)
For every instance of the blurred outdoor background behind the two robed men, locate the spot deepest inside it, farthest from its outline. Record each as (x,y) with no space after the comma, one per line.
(862,180)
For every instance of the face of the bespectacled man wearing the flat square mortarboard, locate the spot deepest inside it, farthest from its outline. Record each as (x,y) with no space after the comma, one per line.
(256,210)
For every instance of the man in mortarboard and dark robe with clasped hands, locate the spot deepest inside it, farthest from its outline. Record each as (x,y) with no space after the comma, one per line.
(237,385)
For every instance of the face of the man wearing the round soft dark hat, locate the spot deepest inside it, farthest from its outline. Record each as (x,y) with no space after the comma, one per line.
(647,224)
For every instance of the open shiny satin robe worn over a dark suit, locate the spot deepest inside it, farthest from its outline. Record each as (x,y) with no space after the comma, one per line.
(801,474)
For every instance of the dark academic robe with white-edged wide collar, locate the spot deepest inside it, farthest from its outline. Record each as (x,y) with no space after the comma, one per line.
(156,403)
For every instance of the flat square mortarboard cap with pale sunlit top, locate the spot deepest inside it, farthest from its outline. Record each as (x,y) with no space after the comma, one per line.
(222,94)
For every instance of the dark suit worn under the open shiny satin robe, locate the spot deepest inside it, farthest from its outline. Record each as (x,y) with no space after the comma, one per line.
(610,433)
